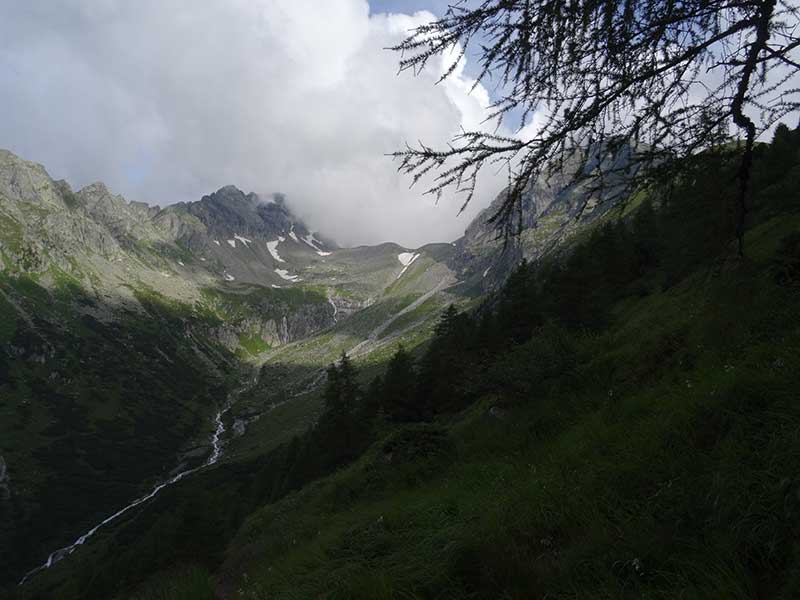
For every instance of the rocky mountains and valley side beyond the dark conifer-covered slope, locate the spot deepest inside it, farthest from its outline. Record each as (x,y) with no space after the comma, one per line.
(130,332)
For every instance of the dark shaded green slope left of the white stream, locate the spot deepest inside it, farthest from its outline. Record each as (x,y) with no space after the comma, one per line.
(91,409)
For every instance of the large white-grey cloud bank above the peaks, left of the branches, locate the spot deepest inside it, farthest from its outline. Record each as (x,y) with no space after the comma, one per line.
(167,100)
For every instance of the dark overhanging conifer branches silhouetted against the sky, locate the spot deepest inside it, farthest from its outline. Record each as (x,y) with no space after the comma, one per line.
(618,85)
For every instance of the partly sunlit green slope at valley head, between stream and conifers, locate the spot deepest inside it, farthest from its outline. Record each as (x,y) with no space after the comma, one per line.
(288,396)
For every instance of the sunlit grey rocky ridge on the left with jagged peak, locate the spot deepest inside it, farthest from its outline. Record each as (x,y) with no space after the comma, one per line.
(97,234)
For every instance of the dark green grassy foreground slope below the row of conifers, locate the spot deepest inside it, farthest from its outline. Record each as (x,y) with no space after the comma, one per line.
(661,465)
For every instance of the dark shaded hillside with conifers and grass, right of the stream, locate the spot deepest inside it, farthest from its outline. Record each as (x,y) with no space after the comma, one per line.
(619,421)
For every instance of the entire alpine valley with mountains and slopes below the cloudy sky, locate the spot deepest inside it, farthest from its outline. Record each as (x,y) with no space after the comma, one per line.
(210,400)
